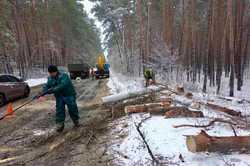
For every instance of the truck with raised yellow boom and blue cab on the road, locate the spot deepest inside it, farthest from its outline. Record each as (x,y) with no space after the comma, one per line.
(102,68)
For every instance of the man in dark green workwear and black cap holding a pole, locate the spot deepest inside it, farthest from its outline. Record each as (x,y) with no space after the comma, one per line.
(61,86)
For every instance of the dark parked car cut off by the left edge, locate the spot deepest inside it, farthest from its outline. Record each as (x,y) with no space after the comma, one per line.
(12,88)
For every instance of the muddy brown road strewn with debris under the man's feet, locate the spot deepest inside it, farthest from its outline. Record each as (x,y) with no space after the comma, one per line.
(29,138)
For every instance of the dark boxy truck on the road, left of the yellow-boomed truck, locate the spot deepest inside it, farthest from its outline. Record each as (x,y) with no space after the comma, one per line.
(78,71)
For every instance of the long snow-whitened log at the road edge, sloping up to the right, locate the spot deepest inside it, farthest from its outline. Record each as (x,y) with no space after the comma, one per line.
(128,95)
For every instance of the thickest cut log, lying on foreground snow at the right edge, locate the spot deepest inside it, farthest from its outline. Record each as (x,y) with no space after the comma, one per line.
(204,142)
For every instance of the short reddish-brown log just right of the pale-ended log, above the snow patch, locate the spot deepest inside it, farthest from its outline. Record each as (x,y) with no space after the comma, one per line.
(176,112)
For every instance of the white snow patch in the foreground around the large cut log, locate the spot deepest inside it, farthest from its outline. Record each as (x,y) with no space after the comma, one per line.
(167,143)
